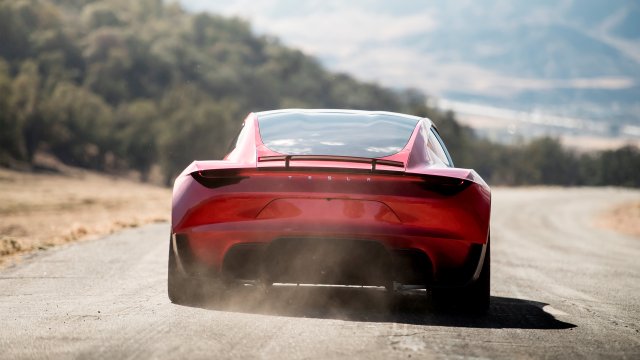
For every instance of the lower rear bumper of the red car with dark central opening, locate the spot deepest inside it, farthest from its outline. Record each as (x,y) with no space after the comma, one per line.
(349,253)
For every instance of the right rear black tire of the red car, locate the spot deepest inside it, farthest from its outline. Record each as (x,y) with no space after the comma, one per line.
(473,298)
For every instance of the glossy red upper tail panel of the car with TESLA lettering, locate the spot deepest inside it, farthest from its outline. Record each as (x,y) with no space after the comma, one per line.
(338,196)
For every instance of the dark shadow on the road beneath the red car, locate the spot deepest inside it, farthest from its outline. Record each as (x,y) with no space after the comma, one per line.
(371,304)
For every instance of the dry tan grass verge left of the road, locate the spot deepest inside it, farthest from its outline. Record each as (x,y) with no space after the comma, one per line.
(38,211)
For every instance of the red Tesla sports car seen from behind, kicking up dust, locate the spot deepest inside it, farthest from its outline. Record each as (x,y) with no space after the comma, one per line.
(338,197)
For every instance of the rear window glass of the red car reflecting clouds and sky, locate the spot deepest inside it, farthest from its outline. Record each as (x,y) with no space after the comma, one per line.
(335,133)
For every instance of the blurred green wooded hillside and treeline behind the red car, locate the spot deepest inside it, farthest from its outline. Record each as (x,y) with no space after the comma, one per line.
(122,85)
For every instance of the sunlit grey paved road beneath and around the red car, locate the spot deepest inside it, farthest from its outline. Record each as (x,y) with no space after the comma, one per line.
(560,289)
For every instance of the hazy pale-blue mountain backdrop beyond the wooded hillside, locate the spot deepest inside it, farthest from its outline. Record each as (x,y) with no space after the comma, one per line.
(569,57)
